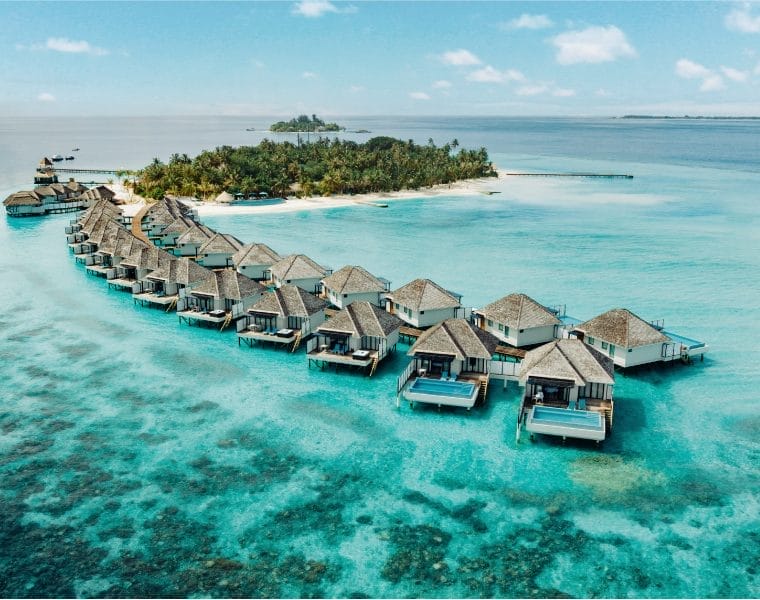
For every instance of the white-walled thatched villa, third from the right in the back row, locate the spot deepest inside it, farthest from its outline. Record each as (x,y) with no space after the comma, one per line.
(422,303)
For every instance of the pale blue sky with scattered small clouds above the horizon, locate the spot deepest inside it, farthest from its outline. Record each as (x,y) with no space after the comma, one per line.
(379,58)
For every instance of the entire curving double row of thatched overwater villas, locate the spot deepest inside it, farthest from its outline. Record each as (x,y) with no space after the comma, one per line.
(353,319)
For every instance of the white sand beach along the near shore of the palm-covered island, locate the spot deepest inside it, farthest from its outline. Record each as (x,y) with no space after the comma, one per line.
(469,187)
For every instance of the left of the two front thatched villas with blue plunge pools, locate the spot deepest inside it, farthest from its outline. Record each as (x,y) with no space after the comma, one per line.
(450,365)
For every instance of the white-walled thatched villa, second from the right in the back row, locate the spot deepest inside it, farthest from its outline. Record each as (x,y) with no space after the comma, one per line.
(518,320)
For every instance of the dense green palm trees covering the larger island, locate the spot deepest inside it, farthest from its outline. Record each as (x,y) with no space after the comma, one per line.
(324,167)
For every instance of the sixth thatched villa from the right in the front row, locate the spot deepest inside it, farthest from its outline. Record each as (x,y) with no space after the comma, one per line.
(161,287)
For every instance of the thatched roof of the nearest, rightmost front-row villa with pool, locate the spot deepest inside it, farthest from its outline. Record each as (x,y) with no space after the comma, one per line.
(568,359)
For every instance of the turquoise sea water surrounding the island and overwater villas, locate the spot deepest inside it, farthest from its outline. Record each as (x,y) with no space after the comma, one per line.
(142,457)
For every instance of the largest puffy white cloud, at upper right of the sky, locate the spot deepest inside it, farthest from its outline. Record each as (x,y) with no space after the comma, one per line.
(592,45)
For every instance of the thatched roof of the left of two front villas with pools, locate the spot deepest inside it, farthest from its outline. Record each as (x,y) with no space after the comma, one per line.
(458,338)
